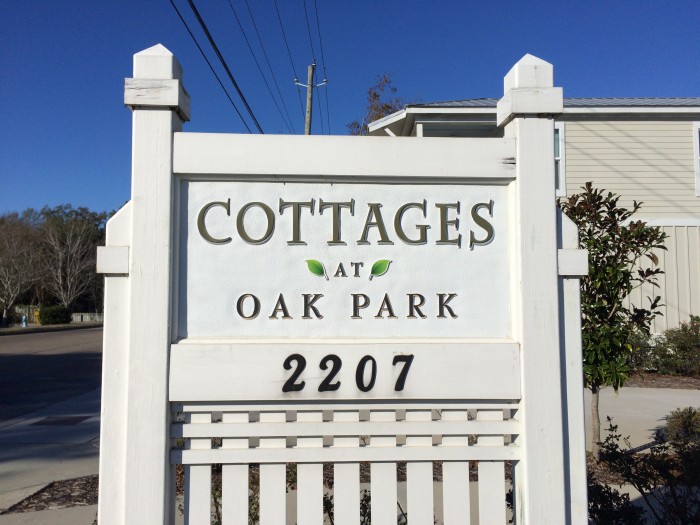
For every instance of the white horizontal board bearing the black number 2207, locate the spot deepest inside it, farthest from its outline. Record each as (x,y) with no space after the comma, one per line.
(344,371)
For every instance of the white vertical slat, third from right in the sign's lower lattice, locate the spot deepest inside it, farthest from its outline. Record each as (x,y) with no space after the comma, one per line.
(419,475)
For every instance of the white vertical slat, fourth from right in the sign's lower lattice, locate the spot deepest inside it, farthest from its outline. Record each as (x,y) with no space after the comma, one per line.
(383,475)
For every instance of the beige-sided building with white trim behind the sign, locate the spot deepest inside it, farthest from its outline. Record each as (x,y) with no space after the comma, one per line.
(644,149)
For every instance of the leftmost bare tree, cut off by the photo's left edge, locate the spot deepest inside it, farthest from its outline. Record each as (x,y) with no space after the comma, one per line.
(18,259)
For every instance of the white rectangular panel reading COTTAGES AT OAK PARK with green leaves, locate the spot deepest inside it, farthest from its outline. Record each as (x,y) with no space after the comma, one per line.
(350,260)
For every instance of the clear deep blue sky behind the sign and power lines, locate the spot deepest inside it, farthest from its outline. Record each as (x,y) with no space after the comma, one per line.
(66,135)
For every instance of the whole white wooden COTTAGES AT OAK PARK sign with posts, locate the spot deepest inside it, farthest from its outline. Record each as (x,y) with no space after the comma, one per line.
(312,300)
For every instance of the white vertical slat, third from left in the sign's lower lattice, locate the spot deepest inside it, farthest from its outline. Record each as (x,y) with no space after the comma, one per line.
(273,477)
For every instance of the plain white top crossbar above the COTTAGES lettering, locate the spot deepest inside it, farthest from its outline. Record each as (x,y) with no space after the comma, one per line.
(277,156)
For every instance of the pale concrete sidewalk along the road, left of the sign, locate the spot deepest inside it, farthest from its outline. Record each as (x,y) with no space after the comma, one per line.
(55,443)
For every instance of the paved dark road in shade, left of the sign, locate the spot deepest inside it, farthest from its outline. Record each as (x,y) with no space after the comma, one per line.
(37,370)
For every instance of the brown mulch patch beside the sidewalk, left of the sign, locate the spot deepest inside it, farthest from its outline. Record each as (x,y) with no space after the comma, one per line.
(78,492)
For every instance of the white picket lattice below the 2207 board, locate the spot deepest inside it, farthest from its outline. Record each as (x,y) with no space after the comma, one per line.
(344,435)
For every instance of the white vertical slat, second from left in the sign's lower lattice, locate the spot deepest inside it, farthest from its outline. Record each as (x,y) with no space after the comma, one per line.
(234,483)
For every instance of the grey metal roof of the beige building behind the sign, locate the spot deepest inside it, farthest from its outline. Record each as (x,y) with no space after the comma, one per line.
(572,103)
